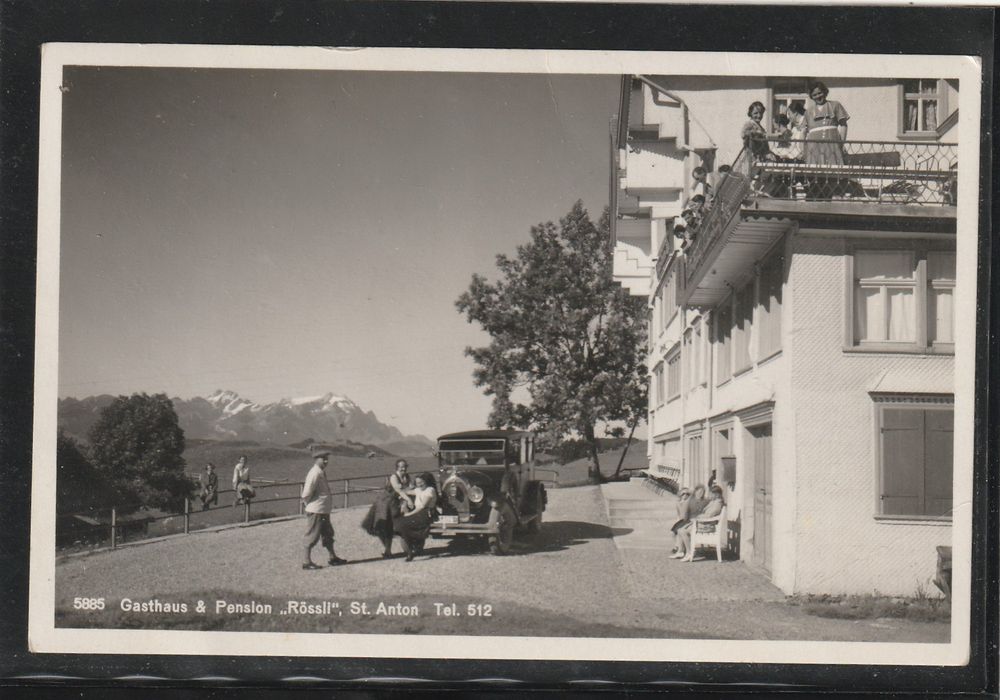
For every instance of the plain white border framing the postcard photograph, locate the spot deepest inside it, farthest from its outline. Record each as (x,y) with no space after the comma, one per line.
(45,637)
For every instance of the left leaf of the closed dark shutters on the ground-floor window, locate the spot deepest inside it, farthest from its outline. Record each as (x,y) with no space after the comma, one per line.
(902,461)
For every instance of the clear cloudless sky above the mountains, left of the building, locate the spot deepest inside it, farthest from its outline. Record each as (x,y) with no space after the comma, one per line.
(293,233)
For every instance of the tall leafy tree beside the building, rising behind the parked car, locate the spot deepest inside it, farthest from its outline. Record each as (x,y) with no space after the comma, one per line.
(563,332)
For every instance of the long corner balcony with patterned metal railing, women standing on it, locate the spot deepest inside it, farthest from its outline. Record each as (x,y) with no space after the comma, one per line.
(759,199)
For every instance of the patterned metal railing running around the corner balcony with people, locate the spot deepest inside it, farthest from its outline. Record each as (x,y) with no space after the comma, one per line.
(871,173)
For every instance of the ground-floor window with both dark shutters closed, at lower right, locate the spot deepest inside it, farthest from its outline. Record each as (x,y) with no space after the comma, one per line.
(915,458)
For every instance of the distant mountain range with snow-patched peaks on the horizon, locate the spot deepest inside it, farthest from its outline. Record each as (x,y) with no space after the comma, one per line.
(225,415)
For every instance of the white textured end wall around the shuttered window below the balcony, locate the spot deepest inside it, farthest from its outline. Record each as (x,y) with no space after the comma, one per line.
(841,547)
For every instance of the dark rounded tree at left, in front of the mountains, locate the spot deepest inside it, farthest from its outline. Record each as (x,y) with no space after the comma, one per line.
(137,445)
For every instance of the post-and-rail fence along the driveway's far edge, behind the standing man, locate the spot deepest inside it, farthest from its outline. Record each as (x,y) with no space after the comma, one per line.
(126,522)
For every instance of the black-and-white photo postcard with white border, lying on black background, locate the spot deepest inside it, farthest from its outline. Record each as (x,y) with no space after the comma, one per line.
(505,354)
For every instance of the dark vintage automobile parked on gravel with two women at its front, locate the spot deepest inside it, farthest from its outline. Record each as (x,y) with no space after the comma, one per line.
(487,487)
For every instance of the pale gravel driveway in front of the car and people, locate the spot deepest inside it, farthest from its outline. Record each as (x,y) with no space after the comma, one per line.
(568,580)
